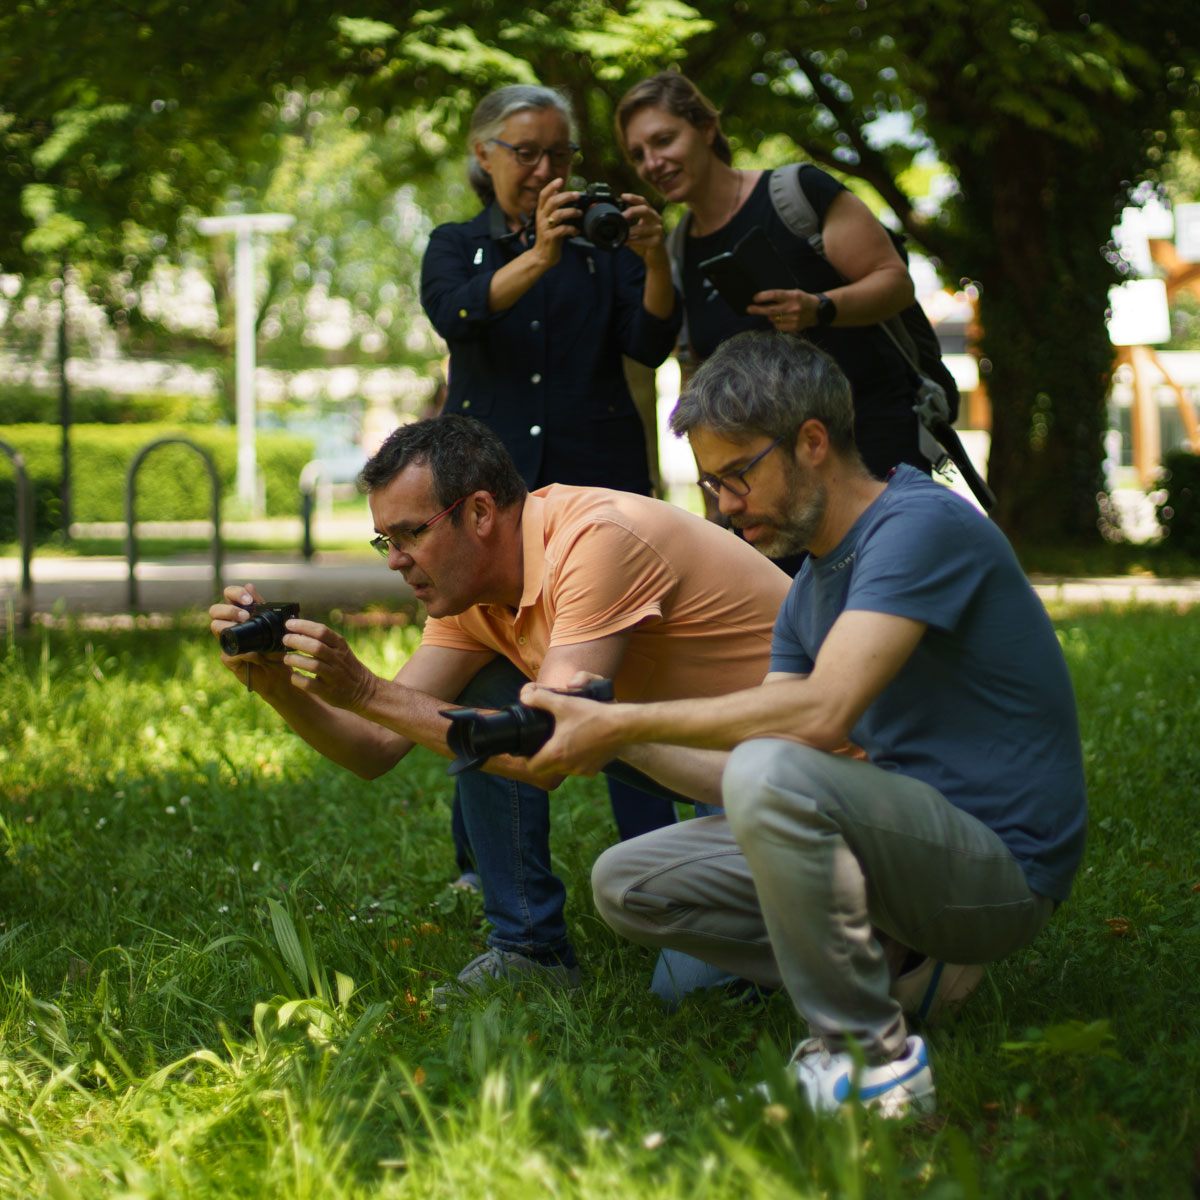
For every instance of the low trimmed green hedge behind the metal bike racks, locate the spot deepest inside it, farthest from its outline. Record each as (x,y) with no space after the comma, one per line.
(173,482)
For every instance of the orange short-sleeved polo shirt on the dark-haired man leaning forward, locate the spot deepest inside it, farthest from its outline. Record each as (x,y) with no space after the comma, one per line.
(700,602)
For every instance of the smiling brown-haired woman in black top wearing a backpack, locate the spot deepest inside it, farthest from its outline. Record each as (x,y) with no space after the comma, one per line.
(673,135)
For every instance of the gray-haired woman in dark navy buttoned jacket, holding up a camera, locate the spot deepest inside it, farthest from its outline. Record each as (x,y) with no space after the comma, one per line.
(538,317)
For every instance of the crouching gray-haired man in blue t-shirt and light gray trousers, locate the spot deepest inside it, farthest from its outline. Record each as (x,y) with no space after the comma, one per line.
(913,633)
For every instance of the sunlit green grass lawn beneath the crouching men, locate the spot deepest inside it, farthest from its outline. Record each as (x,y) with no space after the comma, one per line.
(217,952)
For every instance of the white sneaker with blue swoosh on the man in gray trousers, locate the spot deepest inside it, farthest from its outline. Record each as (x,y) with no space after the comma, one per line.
(831,1079)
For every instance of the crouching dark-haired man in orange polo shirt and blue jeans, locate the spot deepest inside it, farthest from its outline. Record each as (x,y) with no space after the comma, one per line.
(519,586)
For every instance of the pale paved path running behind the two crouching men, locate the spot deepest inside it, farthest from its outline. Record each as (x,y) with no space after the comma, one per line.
(100,585)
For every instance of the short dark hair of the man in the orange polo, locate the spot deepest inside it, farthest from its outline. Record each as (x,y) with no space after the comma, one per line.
(464,458)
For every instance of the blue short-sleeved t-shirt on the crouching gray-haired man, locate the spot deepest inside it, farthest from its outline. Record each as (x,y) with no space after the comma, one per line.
(983,710)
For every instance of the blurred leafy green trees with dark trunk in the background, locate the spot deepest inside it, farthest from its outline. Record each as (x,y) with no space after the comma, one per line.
(121,127)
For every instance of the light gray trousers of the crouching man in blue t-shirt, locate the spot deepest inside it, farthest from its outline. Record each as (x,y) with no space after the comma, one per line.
(814,855)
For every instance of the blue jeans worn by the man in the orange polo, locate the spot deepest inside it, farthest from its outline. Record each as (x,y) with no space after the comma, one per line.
(507,825)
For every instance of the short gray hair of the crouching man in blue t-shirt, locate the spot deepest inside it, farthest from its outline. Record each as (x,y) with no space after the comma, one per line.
(767,383)
